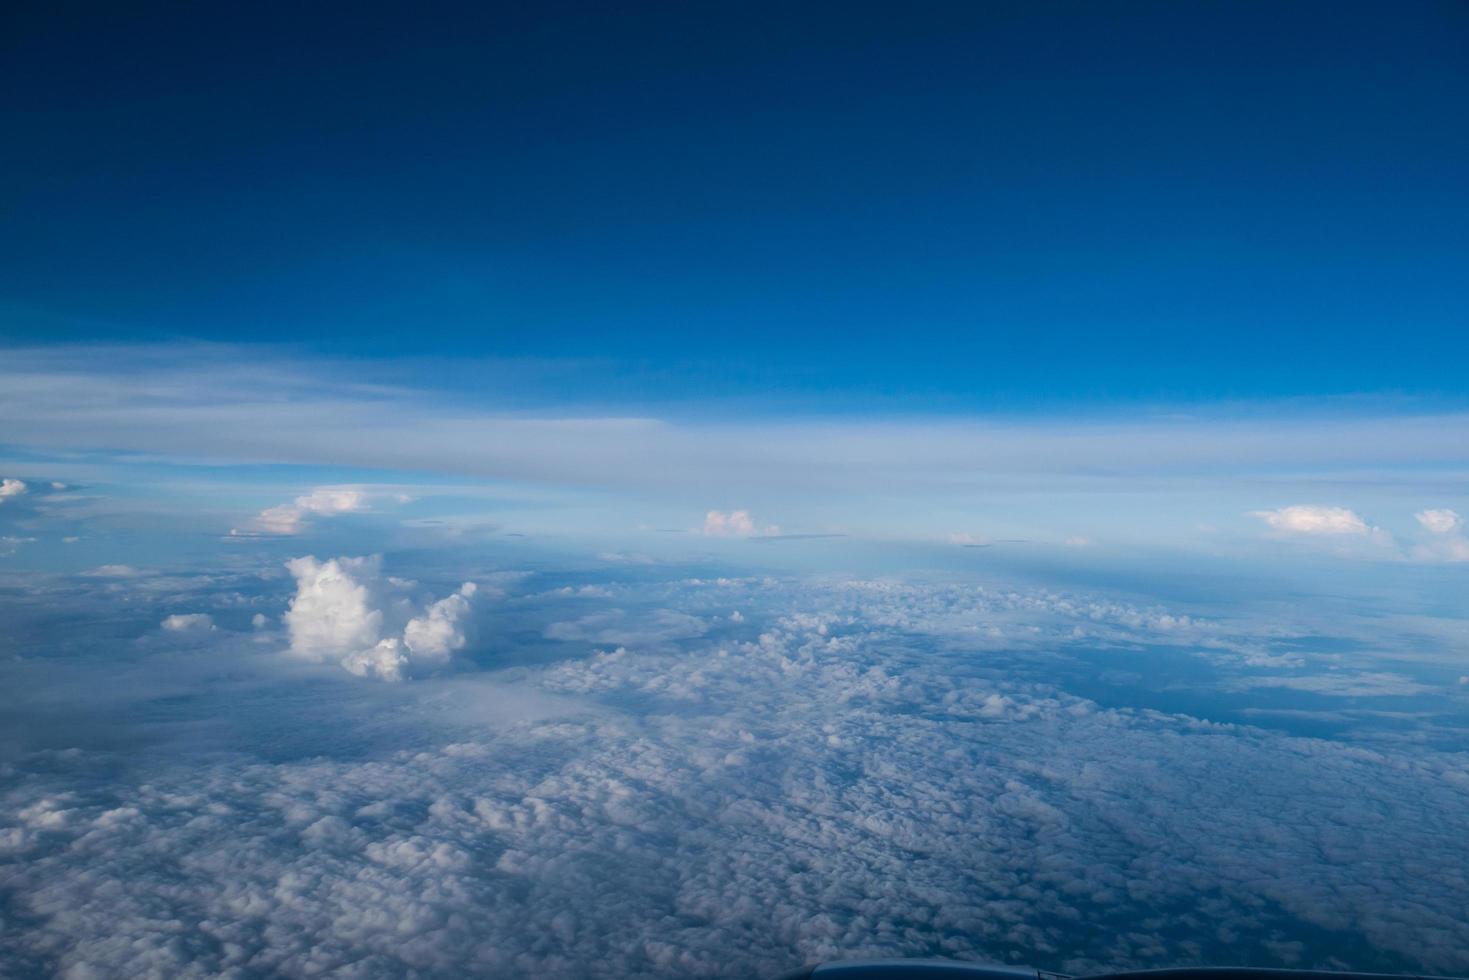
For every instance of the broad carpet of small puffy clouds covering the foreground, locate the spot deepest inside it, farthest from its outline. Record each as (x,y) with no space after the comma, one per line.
(853,768)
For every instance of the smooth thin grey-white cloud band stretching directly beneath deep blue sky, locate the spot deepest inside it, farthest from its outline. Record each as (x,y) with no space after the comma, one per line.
(212,403)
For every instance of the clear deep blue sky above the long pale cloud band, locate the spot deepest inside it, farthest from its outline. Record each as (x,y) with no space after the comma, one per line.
(954,205)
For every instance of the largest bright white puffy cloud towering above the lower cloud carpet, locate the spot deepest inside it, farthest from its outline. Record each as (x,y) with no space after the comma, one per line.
(346,610)
